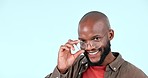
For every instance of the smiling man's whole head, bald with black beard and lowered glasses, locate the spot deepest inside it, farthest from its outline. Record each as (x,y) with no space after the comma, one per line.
(95,34)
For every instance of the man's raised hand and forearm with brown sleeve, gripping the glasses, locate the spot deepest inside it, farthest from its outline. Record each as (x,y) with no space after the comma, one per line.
(65,60)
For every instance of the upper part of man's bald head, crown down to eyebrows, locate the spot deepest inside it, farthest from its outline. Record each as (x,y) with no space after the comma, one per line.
(93,23)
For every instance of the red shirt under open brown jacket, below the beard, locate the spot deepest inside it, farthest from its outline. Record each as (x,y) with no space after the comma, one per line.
(94,72)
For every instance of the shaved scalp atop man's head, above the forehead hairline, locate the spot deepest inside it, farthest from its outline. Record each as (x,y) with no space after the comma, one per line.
(93,17)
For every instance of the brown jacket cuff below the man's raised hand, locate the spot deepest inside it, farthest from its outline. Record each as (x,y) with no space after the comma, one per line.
(57,74)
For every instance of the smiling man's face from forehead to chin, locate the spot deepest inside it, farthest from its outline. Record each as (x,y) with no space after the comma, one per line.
(94,39)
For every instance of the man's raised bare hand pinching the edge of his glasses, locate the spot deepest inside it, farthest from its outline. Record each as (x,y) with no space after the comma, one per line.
(65,57)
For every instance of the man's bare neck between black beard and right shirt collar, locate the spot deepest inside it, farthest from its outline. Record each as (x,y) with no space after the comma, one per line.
(109,58)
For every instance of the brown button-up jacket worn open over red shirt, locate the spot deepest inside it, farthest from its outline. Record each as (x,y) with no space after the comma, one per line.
(119,68)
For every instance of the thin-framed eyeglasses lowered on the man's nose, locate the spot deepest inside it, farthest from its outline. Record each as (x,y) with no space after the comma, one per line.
(94,41)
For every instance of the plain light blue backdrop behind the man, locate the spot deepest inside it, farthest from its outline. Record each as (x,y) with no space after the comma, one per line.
(31,32)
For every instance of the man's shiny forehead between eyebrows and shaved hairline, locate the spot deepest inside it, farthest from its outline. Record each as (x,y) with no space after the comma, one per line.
(90,29)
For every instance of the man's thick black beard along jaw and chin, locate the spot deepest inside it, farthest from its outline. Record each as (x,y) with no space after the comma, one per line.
(106,51)
